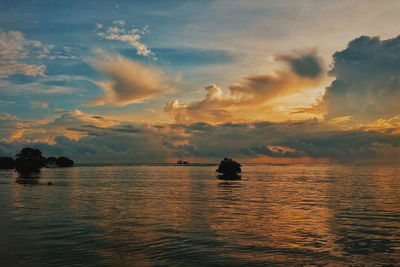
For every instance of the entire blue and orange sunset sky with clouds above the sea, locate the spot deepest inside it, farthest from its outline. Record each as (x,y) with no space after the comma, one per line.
(307,81)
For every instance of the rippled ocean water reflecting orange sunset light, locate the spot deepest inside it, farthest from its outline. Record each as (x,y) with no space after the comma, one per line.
(150,215)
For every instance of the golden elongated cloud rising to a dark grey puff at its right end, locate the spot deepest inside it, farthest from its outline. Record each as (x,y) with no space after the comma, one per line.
(253,94)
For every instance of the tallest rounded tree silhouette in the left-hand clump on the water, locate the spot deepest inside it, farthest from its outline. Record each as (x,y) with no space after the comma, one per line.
(29,162)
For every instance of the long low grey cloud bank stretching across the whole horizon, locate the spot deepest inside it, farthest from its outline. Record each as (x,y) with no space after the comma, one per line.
(93,138)
